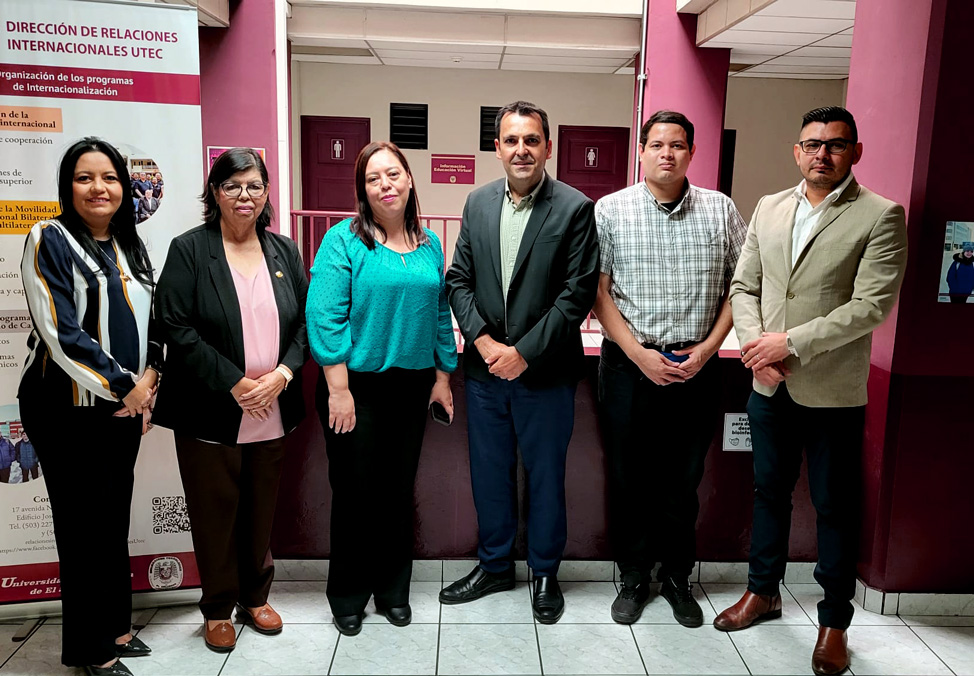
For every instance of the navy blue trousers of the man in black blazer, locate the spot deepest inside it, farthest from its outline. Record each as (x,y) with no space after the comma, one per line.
(503,416)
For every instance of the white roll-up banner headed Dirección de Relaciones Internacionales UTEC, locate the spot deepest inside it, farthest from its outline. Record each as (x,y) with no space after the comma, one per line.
(127,72)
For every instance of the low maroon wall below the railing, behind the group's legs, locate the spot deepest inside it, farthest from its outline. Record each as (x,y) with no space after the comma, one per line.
(446,522)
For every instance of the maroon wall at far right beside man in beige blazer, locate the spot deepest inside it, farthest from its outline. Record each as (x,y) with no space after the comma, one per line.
(914,108)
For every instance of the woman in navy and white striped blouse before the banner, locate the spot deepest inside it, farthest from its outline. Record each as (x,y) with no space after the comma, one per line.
(85,393)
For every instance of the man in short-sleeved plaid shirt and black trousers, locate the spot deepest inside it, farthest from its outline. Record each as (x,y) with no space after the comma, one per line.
(668,253)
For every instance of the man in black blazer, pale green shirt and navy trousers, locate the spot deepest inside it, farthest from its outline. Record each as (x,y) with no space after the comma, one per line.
(524,276)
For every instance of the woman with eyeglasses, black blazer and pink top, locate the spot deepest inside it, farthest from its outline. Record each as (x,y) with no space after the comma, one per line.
(230,301)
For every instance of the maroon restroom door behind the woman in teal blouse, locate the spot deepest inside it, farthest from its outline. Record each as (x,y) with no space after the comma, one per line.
(329,146)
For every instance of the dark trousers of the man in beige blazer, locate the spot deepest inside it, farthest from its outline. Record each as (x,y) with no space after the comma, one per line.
(832,440)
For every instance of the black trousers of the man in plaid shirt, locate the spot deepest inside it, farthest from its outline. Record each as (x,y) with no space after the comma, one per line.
(656,439)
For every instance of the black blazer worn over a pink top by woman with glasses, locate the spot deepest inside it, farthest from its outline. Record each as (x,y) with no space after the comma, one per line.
(196,305)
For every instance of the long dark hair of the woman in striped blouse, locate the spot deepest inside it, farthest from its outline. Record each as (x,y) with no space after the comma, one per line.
(122,226)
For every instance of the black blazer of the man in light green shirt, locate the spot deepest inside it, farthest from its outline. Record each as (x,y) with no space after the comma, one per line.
(553,285)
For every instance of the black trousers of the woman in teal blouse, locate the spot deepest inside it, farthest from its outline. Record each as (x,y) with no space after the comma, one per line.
(372,472)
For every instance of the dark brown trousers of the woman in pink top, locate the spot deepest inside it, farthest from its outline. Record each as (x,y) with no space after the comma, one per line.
(231,495)
